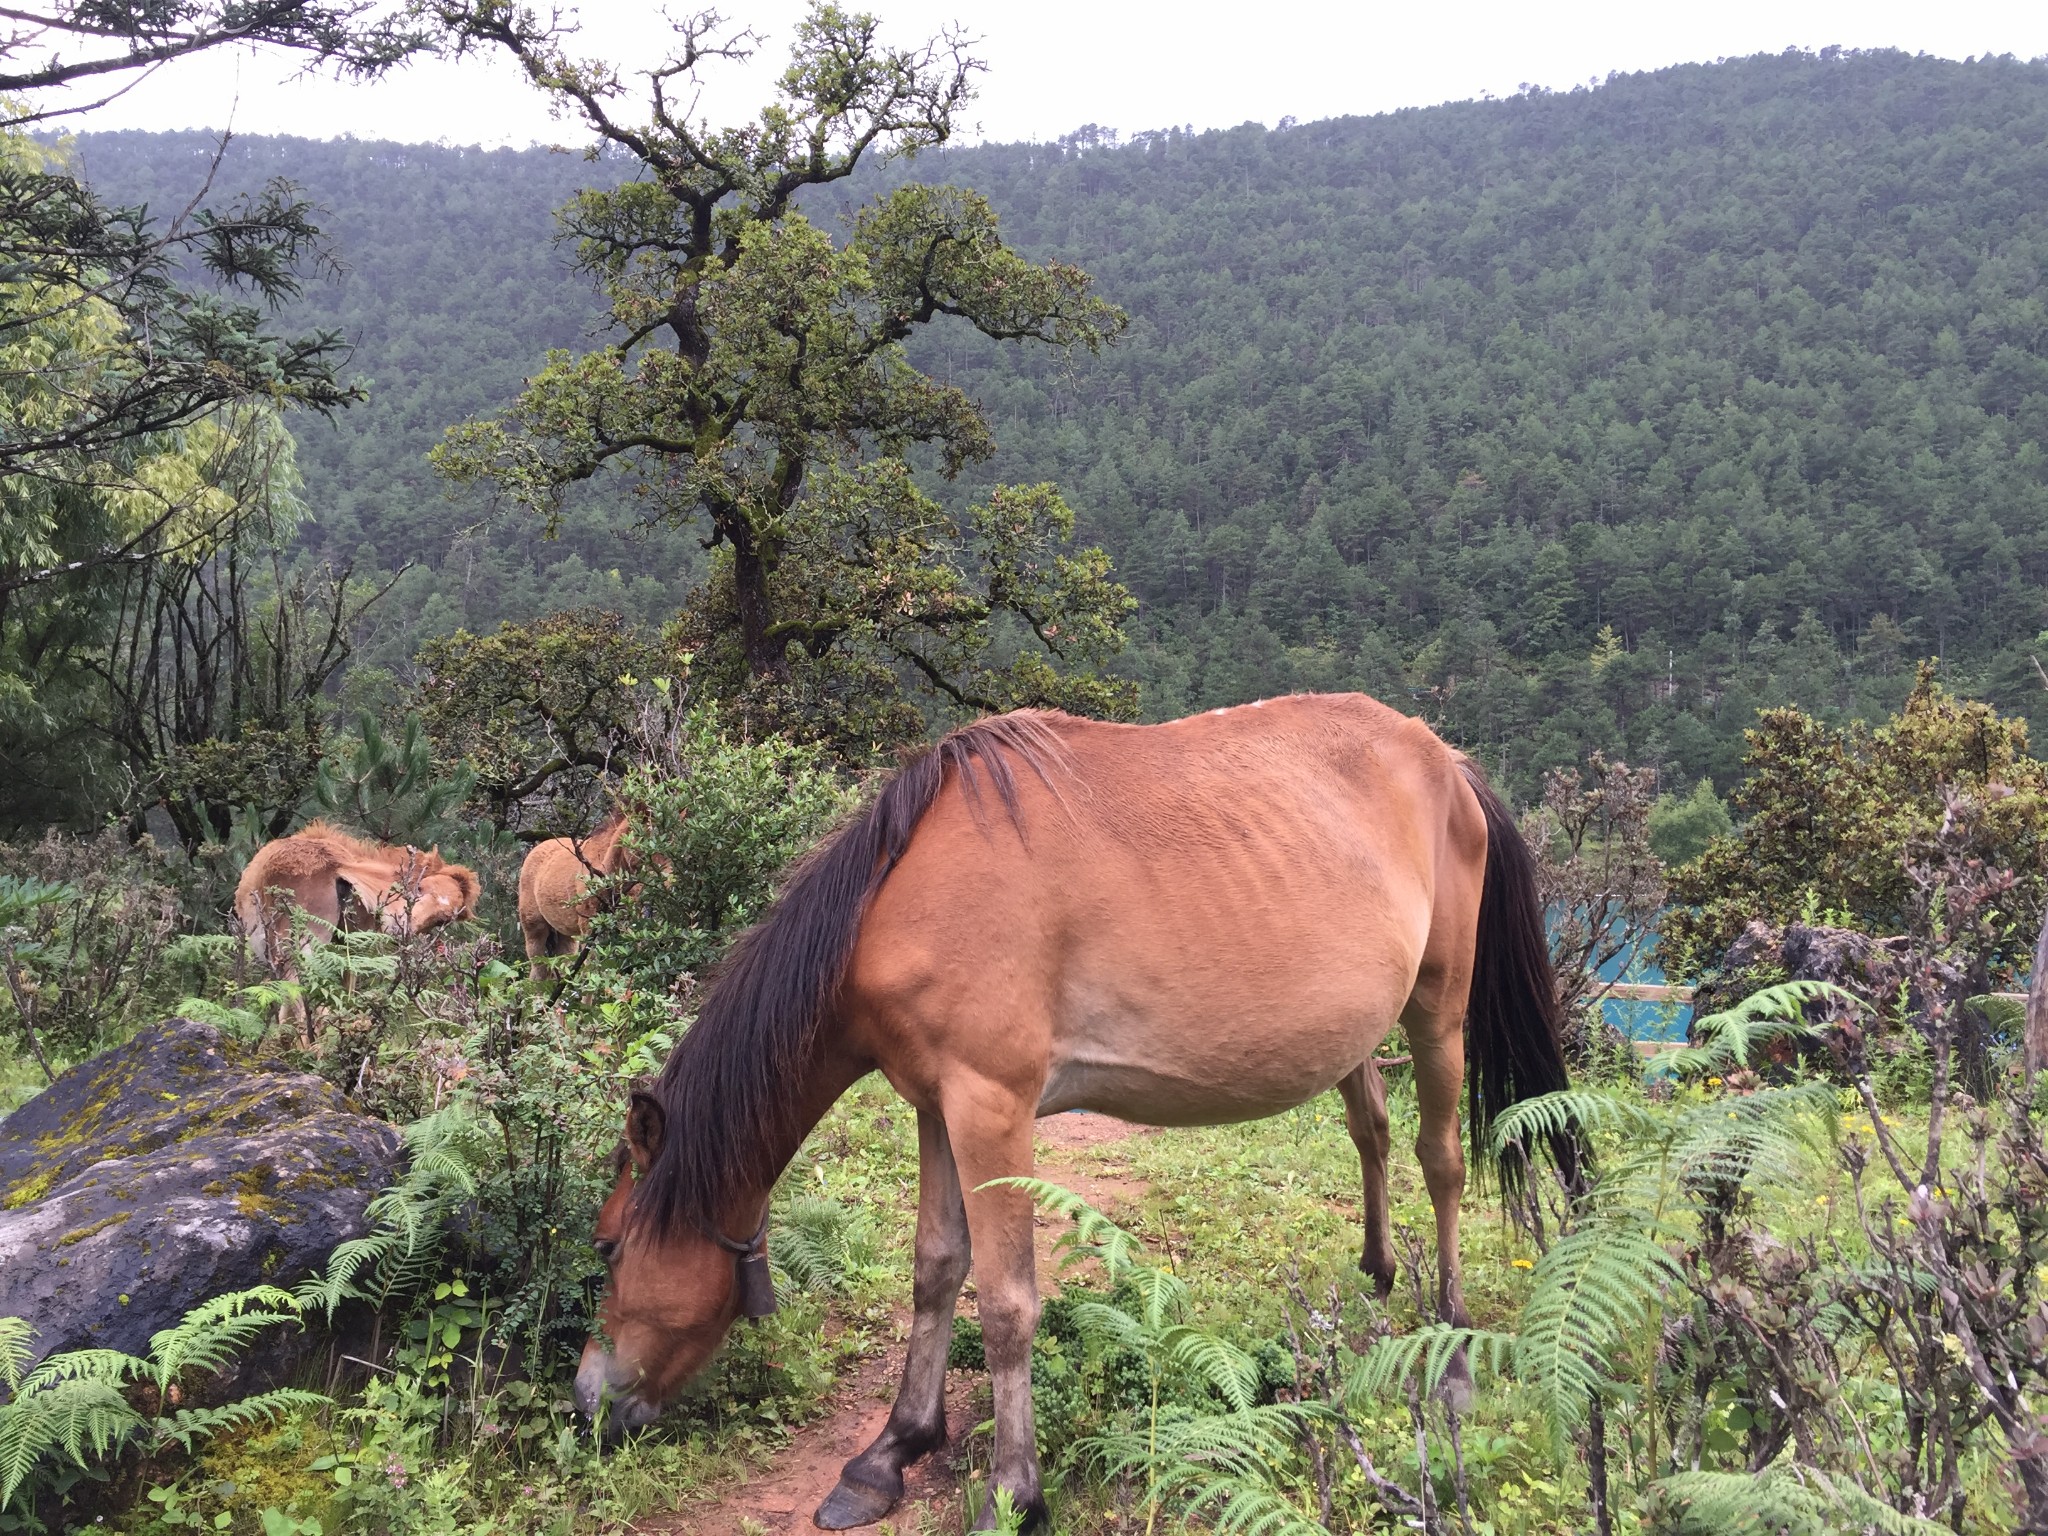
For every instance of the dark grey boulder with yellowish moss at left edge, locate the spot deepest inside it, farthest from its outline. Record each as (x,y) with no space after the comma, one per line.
(167,1172)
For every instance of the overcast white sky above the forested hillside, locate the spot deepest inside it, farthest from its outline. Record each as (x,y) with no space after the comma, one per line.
(1127,65)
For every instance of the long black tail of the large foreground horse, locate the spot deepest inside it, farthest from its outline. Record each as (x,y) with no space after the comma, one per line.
(1514,1029)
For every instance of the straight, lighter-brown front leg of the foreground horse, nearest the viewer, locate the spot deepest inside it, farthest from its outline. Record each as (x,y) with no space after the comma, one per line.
(992,1138)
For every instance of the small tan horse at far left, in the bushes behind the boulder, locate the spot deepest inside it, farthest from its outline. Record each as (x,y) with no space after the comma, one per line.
(343,884)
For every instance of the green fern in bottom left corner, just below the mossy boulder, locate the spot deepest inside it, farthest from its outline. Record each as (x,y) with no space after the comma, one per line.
(75,1408)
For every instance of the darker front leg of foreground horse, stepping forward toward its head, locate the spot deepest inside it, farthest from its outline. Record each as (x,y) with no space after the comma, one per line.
(873,1482)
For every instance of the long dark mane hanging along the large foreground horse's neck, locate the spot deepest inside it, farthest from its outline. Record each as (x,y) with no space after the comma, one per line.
(732,1091)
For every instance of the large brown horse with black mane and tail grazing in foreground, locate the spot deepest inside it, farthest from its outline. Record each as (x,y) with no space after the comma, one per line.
(1179,925)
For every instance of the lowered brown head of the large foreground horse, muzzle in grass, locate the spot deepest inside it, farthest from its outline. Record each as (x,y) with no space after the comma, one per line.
(673,1297)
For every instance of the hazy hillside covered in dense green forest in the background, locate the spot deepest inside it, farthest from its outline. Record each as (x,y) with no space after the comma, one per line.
(1572,421)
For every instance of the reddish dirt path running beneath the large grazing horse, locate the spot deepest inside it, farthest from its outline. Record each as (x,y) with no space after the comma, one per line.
(781,1498)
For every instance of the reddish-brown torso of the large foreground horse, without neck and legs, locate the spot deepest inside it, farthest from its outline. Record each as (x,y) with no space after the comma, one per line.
(1201,921)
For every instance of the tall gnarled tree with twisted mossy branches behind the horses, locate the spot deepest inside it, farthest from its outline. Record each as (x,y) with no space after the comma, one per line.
(757,384)
